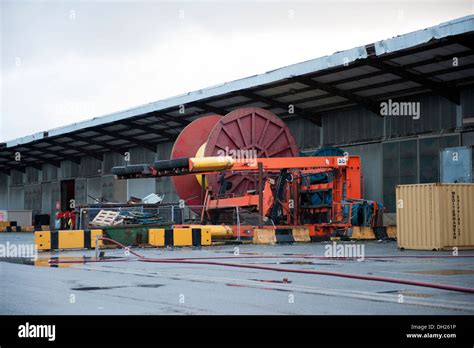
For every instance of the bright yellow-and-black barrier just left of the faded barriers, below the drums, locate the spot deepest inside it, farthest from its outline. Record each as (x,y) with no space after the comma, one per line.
(179,237)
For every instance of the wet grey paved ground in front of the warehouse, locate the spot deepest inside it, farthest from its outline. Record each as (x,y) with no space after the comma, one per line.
(133,287)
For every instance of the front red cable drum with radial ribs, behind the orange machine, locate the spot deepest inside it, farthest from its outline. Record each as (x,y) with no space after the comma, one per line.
(250,131)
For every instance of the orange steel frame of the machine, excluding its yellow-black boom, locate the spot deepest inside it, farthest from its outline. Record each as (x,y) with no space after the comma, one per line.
(284,191)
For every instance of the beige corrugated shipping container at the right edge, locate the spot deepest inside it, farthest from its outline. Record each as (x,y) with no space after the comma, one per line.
(435,216)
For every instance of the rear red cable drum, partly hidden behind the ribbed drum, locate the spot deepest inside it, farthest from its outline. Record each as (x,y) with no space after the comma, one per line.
(186,145)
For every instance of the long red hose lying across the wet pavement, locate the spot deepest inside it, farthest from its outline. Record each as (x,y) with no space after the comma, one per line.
(290,270)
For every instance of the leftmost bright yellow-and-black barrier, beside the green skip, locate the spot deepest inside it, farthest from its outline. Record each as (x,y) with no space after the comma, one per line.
(67,239)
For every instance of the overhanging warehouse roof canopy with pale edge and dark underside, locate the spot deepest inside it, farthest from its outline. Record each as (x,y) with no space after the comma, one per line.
(413,63)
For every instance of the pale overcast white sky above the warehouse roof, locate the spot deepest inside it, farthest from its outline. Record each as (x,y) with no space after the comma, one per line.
(67,61)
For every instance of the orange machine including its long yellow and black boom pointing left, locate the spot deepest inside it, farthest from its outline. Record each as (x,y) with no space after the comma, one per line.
(286,188)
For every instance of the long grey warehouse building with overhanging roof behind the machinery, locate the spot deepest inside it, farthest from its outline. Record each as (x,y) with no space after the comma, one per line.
(395,102)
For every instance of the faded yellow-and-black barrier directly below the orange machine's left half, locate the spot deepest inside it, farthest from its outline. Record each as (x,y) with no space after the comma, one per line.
(281,235)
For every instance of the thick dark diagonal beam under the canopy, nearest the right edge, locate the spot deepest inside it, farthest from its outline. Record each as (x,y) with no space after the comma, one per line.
(450,93)
